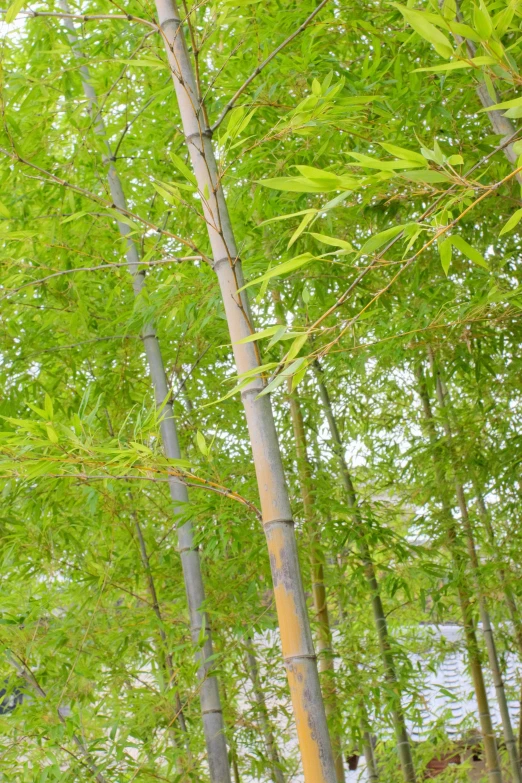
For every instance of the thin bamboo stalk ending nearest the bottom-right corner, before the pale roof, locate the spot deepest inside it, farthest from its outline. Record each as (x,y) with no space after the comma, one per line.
(509,737)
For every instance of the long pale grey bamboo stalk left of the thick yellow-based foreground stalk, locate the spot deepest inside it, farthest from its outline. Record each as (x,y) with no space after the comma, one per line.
(212,715)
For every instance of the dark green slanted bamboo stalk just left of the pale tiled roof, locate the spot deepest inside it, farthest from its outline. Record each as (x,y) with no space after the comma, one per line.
(399,723)
